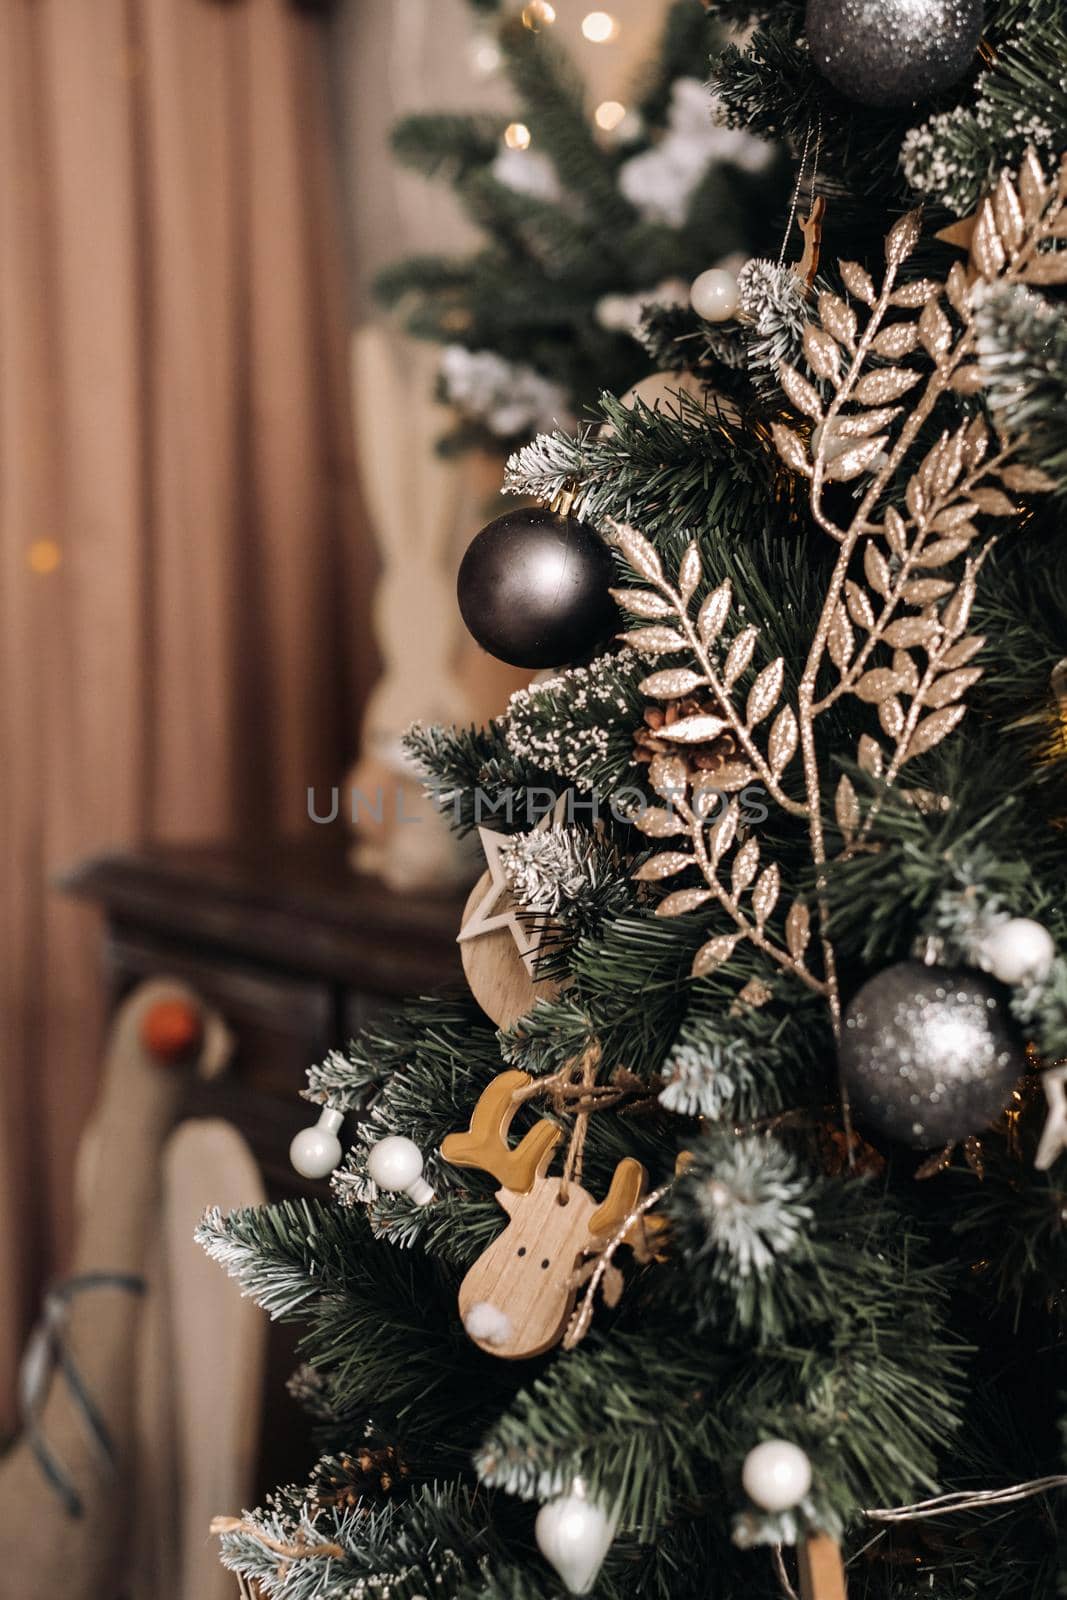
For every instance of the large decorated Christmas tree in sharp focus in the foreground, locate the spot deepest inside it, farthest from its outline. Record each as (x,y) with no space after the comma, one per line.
(716,1244)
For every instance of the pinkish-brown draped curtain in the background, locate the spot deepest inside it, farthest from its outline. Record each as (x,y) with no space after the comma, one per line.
(182,588)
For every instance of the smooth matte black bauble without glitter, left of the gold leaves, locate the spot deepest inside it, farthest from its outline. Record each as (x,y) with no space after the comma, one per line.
(533,590)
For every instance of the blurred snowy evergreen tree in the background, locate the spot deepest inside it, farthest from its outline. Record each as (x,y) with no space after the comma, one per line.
(585,226)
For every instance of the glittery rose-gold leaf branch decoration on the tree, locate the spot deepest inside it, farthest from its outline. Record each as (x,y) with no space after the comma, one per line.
(895,620)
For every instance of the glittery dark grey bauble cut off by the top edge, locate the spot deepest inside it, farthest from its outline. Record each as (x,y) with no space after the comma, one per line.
(893,52)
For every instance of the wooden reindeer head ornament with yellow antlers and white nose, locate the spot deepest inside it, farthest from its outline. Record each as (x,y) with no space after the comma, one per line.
(518,1298)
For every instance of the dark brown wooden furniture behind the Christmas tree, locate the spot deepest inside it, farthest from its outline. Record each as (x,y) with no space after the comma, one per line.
(298,954)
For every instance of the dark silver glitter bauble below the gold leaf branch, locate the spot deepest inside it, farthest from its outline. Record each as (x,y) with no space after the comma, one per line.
(929,1055)
